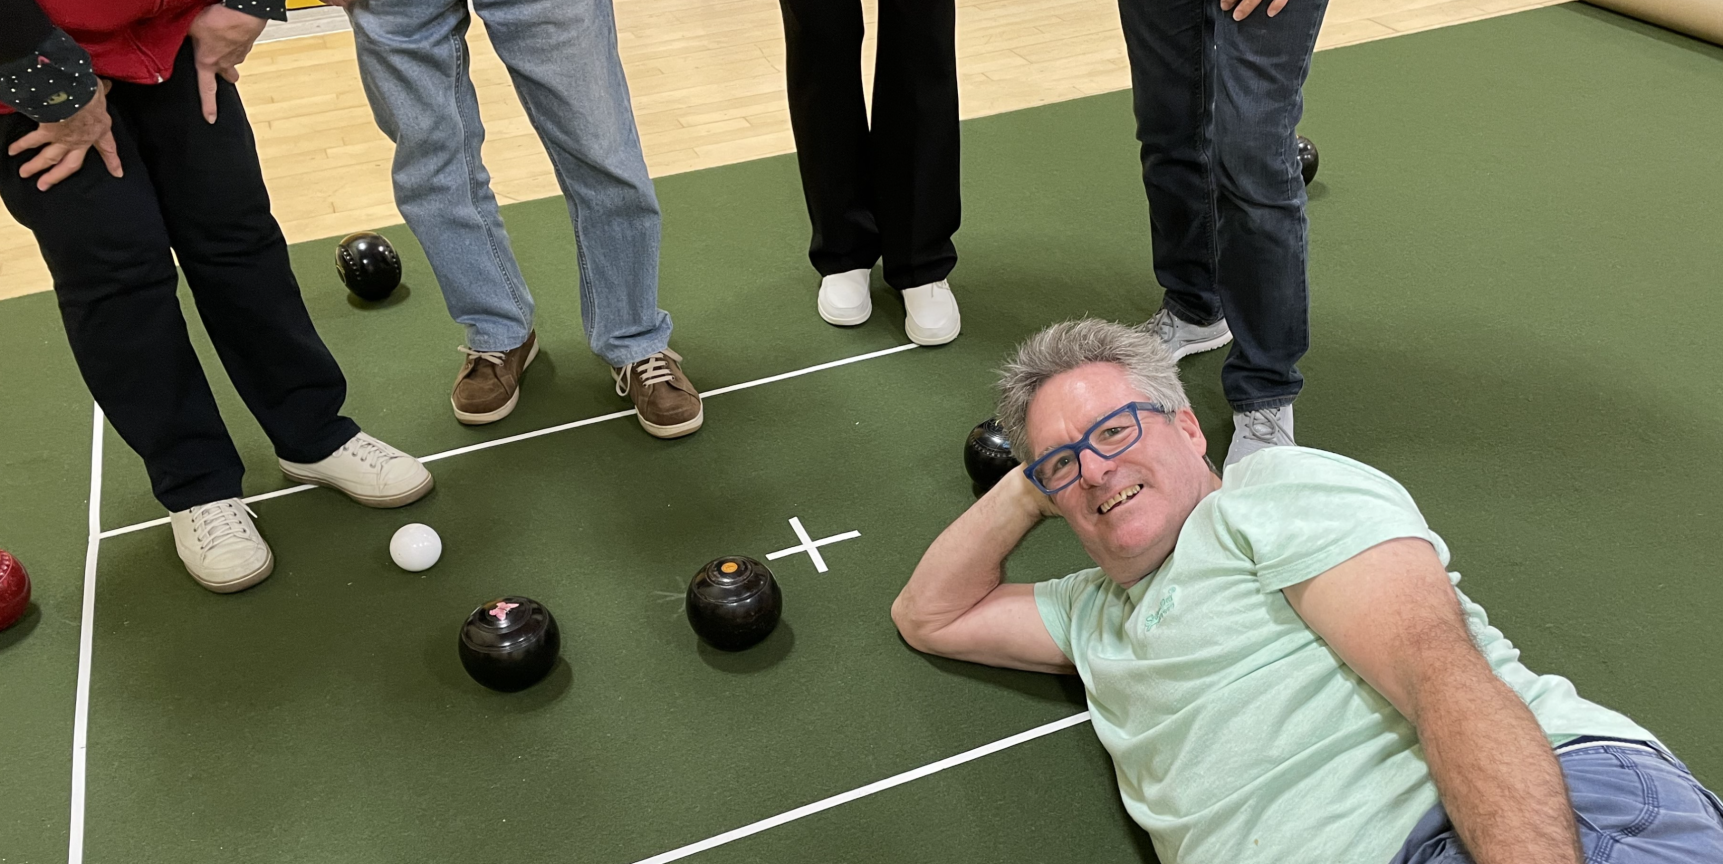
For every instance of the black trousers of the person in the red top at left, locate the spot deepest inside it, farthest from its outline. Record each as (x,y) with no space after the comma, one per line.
(196,191)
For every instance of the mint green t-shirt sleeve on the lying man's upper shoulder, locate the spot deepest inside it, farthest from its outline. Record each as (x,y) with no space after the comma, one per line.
(1300,513)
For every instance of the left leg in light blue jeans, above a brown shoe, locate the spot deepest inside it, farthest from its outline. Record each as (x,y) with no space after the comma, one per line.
(413,63)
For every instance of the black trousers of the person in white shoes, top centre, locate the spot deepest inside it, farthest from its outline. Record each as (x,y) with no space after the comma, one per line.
(890,192)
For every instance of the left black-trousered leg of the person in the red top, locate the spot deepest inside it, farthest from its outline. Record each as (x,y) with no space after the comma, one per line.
(115,279)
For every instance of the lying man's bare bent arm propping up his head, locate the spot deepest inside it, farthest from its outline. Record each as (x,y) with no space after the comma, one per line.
(957,603)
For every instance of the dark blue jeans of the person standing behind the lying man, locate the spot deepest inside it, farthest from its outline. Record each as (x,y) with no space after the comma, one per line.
(1217,110)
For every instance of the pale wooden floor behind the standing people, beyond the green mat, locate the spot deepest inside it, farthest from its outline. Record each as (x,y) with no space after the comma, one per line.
(709,89)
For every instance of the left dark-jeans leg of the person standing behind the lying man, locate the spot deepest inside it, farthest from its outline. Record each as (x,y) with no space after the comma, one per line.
(1171,51)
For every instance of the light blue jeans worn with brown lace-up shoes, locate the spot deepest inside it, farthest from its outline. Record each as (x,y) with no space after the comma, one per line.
(563,58)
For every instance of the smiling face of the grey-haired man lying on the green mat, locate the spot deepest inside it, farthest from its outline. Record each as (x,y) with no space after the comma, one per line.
(1128,511)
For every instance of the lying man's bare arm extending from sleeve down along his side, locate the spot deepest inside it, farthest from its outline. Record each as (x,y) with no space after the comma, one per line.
(1393,617)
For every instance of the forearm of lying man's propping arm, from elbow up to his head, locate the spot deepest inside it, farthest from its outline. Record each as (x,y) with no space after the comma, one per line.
(967,561)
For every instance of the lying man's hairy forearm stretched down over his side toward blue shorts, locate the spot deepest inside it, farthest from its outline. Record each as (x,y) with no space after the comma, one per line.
(1500,780)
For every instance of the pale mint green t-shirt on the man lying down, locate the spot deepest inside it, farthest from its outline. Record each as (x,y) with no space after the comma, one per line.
(1236,734)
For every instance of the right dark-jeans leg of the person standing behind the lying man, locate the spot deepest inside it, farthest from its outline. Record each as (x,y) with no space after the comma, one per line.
(1264,251)
